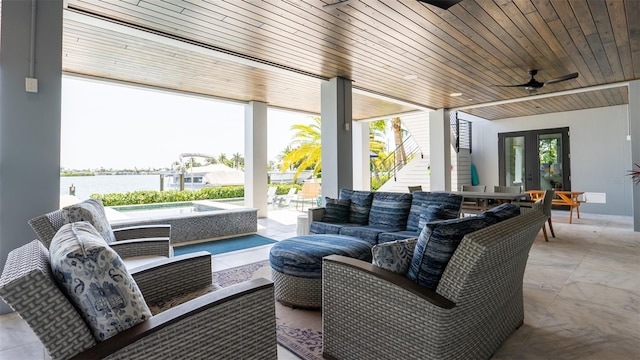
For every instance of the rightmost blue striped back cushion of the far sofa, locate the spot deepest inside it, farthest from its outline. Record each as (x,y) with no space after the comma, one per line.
(450,202)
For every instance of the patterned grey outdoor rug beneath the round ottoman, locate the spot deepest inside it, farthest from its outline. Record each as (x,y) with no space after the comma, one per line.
(298,330)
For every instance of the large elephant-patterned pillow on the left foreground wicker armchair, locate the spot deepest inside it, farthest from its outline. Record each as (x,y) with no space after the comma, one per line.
(95,280)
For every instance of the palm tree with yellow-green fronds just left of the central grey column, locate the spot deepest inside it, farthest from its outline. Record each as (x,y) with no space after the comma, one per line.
(306,149)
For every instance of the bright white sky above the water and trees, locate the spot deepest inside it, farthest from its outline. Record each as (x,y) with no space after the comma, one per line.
(114,126)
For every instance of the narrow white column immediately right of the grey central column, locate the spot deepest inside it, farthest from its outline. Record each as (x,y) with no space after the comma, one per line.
(361,159)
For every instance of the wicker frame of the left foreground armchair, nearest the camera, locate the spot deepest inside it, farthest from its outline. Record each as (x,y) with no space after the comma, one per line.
(237,322)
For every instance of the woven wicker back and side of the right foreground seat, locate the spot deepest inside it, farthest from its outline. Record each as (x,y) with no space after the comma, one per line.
(476,306)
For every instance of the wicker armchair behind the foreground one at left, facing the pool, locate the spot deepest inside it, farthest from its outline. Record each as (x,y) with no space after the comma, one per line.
(148,241)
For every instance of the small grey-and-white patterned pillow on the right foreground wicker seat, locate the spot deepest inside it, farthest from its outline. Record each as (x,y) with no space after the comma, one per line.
(394,255)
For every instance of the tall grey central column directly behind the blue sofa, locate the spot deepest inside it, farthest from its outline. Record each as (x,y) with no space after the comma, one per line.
(337,142)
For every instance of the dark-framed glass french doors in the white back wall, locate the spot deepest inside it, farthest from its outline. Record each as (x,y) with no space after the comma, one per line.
(535,160)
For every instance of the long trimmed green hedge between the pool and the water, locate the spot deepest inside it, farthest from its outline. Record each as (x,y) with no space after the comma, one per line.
(154,196)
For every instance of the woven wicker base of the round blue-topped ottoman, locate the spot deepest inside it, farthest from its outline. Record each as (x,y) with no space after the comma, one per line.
(296,291)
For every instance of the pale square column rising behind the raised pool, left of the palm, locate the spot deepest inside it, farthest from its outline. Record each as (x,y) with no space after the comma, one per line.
(255,144)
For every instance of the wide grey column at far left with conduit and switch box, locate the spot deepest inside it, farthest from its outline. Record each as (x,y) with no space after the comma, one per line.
(29,121)
